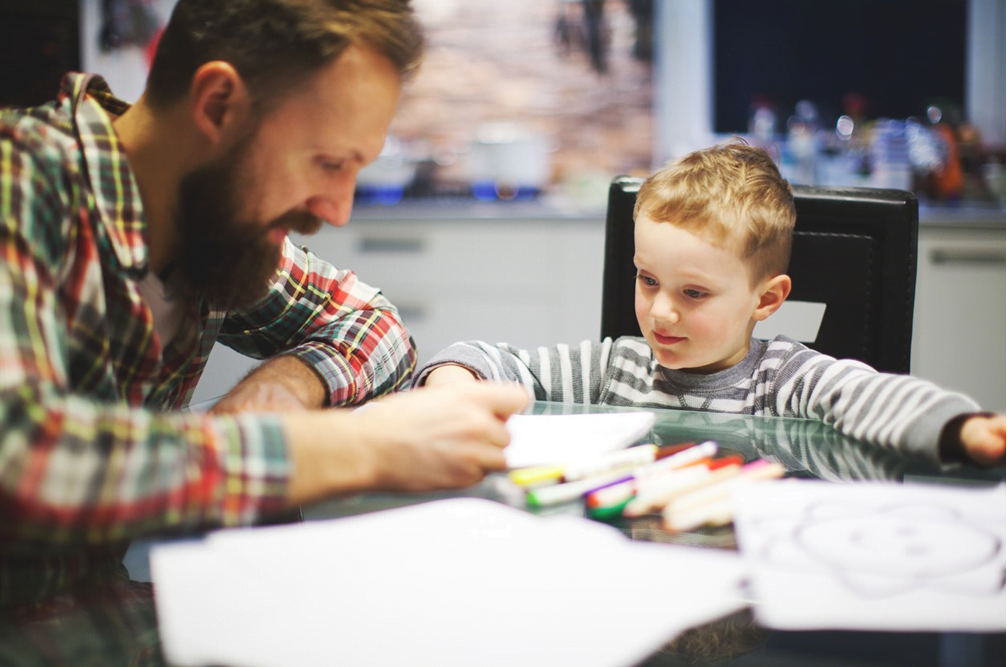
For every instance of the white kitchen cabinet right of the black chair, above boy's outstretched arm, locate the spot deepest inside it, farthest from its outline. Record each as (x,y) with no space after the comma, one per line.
(959,326)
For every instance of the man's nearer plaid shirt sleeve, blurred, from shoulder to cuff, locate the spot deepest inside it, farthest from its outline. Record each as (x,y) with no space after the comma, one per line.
(76,469)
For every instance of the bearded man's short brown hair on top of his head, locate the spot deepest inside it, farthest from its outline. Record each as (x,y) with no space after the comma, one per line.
(276,45)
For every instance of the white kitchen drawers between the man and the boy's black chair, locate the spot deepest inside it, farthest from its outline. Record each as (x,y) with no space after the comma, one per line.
(525,282)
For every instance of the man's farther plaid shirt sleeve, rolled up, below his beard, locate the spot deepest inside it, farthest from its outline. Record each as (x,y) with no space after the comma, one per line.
(346,330)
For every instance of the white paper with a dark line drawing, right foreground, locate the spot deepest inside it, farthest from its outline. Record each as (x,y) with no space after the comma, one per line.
(875,556)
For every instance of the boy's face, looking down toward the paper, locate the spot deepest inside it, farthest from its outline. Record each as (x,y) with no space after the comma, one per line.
(695,304)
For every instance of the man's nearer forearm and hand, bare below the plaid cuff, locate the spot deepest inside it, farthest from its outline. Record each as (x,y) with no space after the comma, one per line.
(426,440)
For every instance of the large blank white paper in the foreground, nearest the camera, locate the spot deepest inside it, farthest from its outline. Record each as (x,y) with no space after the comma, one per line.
(454,584)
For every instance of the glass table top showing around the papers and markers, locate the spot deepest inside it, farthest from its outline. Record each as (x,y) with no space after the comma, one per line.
(99,612)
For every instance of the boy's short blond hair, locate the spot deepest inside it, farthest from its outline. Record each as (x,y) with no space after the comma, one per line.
(734,196)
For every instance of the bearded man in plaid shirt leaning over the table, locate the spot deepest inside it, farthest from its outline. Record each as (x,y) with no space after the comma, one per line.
(136,237)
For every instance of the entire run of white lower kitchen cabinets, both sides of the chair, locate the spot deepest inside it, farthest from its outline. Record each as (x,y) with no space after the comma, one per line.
(533,283)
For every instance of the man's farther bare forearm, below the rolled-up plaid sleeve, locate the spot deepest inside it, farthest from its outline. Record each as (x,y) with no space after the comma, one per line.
(281,385)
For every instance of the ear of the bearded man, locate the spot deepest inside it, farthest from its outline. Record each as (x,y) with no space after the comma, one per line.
(219,101)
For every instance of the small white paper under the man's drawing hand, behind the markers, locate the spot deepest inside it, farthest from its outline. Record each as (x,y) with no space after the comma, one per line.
(543,440)
